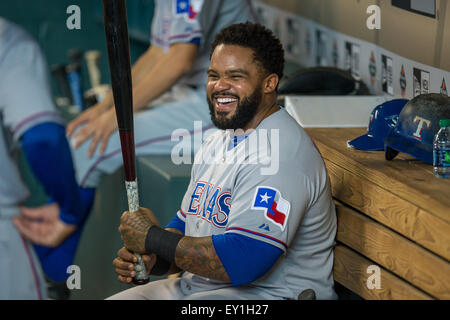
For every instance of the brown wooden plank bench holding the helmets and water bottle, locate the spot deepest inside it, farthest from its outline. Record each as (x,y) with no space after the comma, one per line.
(391,214)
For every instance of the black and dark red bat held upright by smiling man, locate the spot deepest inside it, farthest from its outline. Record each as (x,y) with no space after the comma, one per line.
(116,31)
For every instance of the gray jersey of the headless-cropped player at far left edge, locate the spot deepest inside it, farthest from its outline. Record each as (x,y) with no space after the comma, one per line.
(25,100)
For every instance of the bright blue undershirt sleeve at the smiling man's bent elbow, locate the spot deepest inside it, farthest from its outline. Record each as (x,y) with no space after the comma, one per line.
(245,259)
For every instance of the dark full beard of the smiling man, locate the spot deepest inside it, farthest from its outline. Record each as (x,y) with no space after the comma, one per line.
(245,110)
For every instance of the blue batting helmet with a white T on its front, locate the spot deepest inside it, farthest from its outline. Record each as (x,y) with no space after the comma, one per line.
(416,127)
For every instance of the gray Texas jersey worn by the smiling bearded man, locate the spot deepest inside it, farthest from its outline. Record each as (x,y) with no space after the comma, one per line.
(278,193)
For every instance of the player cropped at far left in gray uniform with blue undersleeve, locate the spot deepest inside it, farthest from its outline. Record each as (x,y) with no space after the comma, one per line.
(28,119)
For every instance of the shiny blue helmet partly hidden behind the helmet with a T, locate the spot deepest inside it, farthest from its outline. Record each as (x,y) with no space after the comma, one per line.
(382,119)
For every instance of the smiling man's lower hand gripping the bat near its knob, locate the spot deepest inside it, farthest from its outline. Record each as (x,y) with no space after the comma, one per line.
(124,264)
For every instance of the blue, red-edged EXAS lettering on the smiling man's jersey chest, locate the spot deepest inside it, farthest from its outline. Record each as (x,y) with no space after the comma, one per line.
(210,203)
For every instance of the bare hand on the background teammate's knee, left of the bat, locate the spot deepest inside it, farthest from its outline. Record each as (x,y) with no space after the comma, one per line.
(100,125)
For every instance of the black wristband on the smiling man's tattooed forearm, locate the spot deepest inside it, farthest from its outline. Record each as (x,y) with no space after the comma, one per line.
(162,242)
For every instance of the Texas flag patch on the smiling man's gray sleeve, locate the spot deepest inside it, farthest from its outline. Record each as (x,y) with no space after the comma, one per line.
(276,209)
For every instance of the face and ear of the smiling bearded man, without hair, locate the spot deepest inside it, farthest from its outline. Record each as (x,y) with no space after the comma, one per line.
(235,89)
